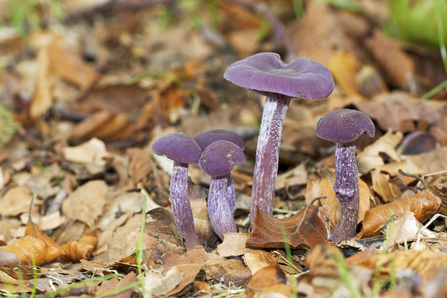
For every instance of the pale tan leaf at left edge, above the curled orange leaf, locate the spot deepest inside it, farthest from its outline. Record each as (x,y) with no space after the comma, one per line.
(16,201)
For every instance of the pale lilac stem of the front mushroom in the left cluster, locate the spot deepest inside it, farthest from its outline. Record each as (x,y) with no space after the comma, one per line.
(219,211)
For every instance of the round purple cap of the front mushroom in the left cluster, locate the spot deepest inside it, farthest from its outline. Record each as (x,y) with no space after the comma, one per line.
(220,157)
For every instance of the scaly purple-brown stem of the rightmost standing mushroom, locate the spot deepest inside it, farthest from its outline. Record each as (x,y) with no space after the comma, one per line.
(346,189)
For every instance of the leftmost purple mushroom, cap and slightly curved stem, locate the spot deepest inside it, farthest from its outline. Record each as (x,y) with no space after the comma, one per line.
(183,150)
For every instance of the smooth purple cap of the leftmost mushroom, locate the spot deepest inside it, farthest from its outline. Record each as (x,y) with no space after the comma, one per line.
(179,147)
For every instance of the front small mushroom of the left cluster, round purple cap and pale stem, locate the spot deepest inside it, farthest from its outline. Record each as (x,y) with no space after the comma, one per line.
(217,160)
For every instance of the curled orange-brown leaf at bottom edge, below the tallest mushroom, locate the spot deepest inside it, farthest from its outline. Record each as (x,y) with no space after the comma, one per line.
(270,279)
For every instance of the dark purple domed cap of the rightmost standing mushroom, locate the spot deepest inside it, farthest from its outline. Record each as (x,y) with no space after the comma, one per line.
(344,126)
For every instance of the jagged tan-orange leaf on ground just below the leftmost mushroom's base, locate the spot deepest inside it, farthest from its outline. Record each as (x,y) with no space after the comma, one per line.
(189,263)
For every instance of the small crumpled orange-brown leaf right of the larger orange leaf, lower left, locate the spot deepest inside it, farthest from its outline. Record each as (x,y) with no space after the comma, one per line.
(81,249)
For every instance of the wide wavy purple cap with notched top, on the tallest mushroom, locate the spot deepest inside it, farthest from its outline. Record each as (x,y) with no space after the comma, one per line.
(267,74)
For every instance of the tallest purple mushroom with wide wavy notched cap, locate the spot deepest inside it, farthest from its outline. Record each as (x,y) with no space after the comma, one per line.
(266,74)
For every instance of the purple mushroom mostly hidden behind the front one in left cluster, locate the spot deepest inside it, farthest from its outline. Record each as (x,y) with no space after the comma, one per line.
(206,138)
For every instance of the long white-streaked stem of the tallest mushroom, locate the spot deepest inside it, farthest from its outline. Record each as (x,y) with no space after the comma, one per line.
(267,155)
